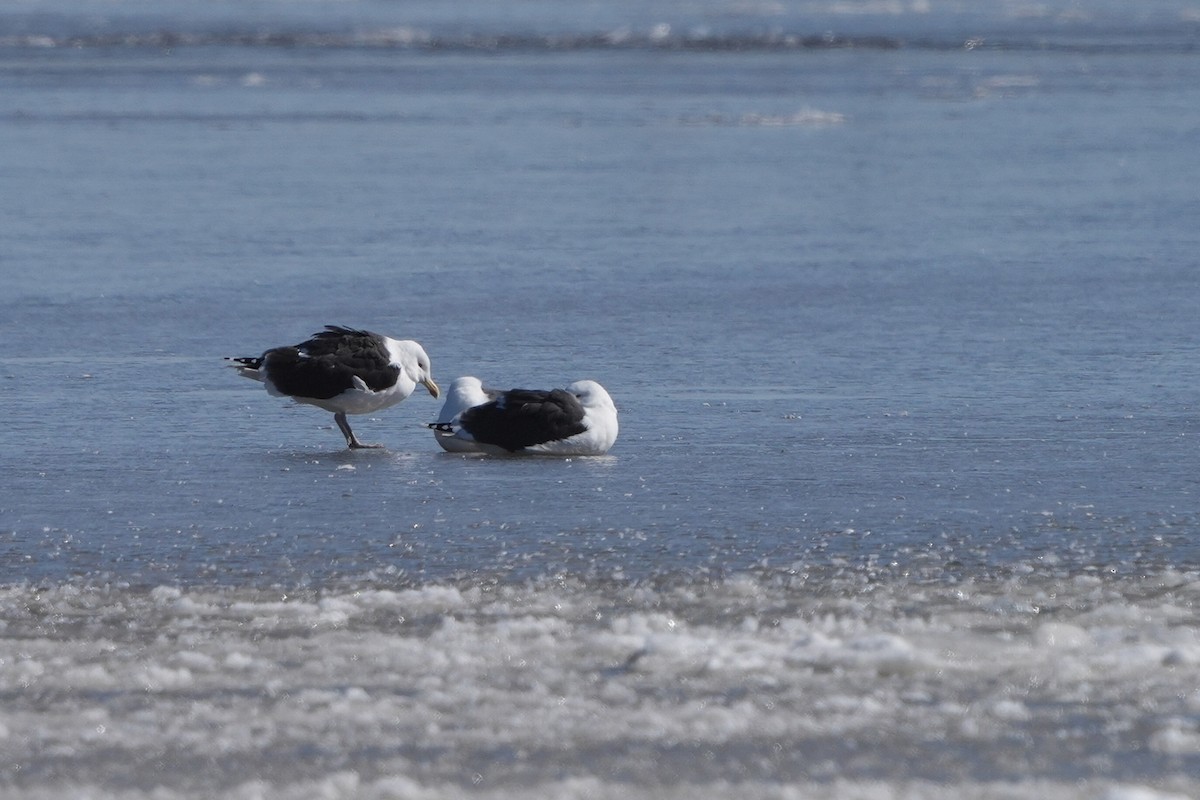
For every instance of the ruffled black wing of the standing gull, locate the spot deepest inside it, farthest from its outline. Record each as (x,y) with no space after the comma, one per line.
(326,365)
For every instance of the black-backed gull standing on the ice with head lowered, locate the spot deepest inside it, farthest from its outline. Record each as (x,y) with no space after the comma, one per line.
(344,371)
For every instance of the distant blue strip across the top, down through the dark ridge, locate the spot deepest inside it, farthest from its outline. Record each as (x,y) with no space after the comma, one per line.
(727,26)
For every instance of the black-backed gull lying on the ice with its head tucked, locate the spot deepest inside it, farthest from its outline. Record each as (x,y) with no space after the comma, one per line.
(580,420)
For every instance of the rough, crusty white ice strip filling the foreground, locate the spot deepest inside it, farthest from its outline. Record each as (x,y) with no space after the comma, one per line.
(757,687)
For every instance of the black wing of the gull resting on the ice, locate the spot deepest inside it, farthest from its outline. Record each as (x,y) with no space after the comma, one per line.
(524,418)
